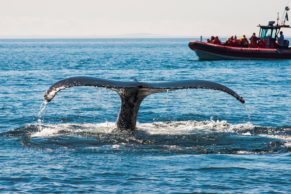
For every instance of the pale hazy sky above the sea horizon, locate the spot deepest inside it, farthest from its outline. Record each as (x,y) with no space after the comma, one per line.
(87,18)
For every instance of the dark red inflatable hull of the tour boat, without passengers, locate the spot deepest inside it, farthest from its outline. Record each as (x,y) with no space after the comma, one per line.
(208,51)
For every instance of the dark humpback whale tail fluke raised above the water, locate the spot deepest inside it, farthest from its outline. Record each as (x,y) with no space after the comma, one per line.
(133,93)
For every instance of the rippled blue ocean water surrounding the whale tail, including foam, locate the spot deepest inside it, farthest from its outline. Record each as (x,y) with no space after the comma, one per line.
(187,141)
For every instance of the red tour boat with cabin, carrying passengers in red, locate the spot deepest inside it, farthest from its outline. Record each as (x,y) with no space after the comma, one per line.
(269,45)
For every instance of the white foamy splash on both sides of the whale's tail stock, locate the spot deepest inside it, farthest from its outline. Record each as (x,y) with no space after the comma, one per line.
(169,128)
